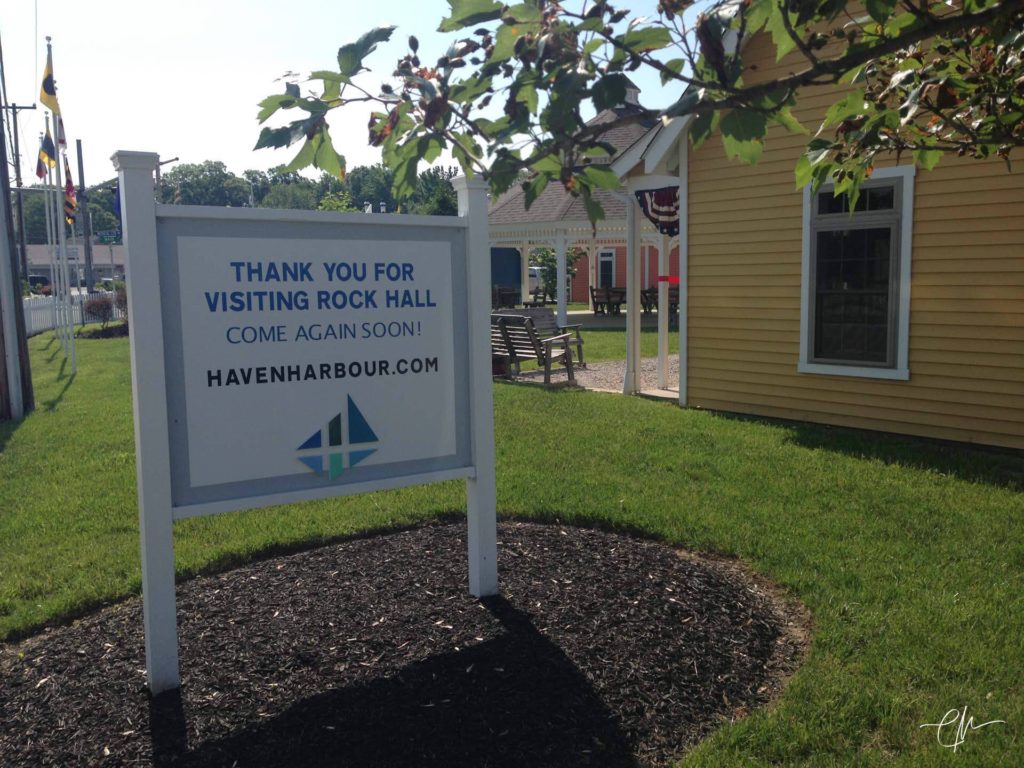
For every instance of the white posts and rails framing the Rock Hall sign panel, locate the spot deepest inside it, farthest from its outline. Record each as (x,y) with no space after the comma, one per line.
(155,408)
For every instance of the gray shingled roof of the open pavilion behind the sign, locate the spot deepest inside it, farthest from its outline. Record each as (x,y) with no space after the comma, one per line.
(556,204)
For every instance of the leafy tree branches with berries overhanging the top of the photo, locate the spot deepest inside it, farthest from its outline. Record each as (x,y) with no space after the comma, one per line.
(923,79)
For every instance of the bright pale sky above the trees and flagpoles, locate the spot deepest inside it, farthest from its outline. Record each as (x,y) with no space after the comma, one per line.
(184,79)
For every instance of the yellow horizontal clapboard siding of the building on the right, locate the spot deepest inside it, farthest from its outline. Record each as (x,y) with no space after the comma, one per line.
(967,295)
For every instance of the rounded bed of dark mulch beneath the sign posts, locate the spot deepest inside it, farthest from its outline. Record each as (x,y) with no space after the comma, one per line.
(603,651)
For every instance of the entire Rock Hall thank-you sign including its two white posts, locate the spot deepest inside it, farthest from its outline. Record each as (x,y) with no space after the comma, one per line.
(287,356)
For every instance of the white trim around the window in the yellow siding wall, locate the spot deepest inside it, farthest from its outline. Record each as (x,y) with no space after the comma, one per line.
(902,371)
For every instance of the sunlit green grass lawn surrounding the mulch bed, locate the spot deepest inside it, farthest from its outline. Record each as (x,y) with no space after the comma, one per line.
(910,556)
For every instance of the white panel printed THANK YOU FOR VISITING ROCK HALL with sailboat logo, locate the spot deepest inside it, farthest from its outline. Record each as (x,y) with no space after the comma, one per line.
(284,339)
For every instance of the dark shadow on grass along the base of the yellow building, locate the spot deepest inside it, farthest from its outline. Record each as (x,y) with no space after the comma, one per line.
(992,466)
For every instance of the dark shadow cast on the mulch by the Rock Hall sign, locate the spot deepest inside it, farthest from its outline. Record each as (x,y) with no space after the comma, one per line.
(515,701)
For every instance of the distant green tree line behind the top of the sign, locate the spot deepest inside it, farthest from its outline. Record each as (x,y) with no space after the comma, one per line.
(210,184)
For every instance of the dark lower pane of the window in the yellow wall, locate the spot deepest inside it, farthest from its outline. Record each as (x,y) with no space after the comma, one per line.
(852,276)
